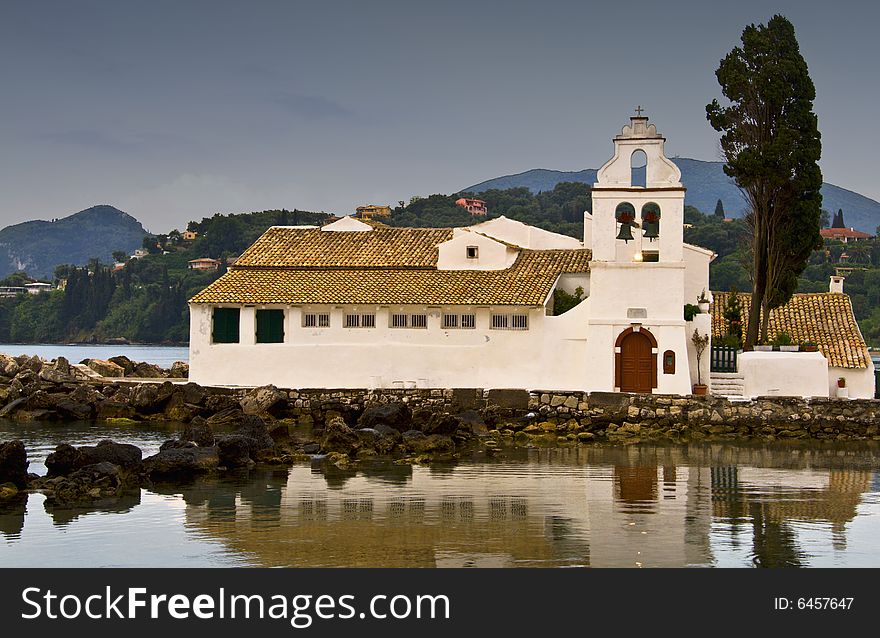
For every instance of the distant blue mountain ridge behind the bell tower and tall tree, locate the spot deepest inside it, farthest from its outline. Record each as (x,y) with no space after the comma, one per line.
(706,183)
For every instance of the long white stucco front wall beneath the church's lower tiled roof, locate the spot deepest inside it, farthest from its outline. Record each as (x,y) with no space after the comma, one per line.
(551,354)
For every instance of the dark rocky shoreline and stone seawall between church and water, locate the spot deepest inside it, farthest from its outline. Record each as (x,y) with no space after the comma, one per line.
(272,426)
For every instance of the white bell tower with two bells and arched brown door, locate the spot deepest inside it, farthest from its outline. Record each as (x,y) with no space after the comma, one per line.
(637,269)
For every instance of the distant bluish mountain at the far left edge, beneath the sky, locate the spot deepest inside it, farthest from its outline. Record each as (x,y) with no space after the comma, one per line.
(38,246)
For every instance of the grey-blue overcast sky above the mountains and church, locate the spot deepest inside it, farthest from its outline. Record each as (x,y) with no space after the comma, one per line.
(176,110)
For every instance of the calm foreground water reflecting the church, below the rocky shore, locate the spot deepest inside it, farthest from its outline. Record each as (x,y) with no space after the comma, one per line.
(636,506)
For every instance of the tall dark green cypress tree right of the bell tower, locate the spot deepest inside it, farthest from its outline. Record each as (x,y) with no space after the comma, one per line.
(771,145)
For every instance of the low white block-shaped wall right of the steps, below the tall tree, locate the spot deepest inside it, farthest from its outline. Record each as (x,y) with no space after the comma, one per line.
(802,374)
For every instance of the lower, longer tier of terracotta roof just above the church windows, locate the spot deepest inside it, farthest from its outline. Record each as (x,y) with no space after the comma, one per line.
(526,283)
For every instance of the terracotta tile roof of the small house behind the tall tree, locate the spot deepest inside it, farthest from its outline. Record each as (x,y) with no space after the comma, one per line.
(825,318)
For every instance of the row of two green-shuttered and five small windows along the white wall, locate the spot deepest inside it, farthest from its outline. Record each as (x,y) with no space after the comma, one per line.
(270,323)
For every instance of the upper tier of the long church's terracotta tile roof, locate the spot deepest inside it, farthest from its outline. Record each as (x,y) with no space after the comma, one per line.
(383,247)
